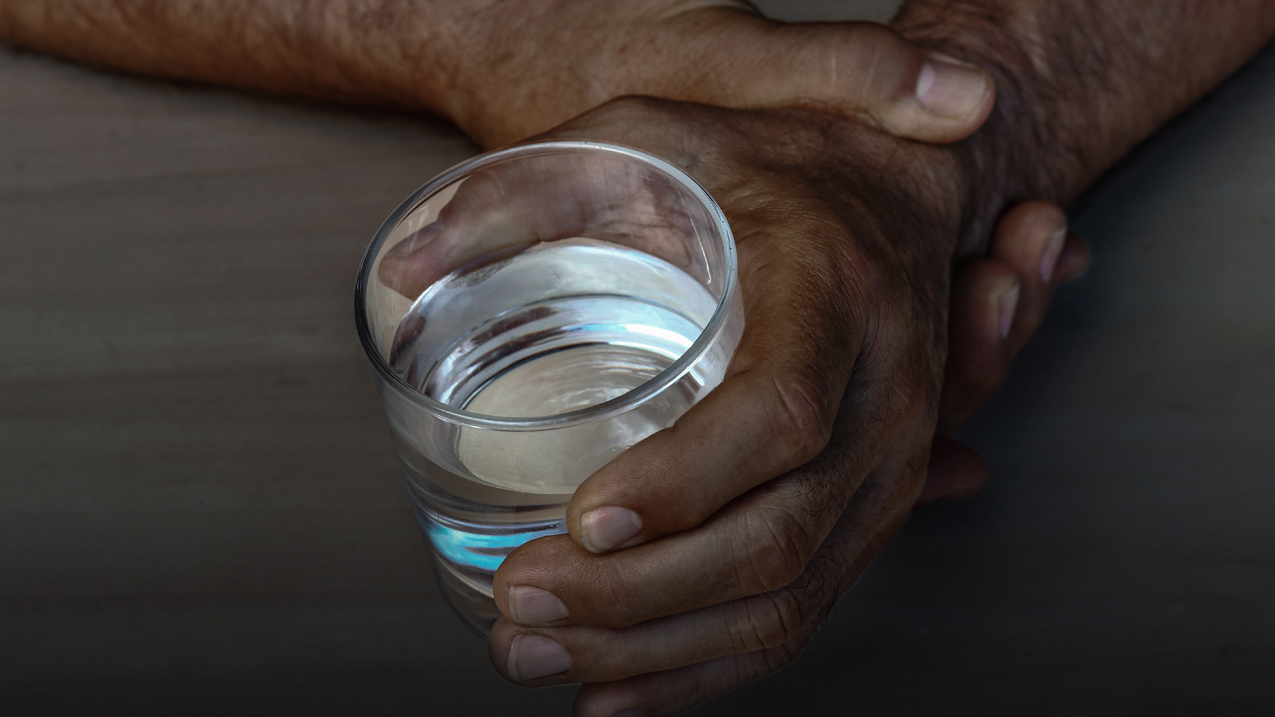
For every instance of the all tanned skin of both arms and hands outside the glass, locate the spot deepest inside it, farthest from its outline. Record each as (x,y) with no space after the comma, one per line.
(767,501)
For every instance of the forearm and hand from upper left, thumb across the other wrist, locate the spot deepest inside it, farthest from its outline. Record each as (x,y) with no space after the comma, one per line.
(504,70)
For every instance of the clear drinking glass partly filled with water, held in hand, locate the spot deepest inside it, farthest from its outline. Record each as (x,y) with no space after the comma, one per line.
(528,316)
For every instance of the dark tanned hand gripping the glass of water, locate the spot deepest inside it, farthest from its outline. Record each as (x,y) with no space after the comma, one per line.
(734,533)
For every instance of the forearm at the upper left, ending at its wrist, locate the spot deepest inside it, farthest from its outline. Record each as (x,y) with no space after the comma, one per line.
(326,50)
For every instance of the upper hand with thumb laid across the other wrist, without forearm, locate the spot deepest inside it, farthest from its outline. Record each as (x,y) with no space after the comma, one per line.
(554,61)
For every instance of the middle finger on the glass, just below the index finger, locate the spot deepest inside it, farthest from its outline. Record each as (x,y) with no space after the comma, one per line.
(758,544)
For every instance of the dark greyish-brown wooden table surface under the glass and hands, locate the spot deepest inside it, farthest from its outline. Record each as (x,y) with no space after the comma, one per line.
(201,511)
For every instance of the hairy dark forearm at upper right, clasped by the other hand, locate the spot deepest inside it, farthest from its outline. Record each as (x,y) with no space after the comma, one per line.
(1079,84)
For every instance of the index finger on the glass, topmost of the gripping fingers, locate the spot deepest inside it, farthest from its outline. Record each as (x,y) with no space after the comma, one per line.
(773,413)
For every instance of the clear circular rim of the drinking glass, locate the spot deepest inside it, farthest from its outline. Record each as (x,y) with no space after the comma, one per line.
(614,408)
